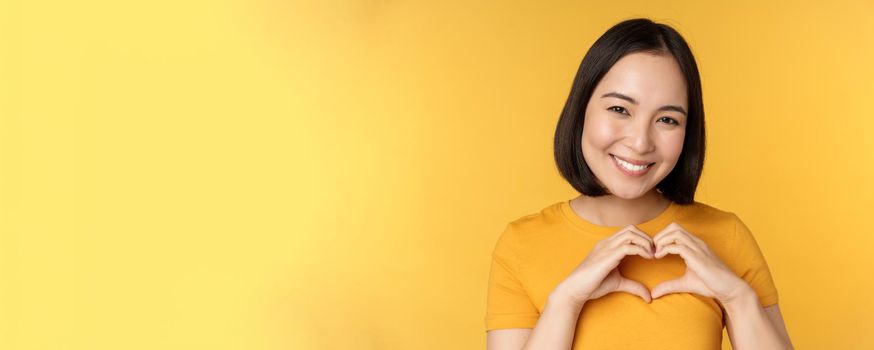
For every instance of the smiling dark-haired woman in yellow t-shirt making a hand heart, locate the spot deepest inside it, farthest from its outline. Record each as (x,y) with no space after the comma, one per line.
(631,140)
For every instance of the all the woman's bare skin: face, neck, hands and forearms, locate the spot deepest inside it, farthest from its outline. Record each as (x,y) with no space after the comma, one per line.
(644,131)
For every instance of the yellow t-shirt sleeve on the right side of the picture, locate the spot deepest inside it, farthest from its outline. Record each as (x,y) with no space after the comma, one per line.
(752,266)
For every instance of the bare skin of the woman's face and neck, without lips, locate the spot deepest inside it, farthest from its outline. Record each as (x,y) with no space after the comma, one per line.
(637,131)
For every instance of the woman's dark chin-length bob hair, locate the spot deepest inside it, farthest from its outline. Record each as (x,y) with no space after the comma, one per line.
(630,36)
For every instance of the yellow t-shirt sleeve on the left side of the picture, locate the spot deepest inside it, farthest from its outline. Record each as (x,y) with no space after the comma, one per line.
(508,305)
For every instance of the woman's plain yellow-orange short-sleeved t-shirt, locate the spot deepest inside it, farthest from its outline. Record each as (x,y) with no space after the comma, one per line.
(537,251)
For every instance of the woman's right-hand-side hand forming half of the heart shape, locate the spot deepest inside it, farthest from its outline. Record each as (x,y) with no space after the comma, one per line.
(705,275)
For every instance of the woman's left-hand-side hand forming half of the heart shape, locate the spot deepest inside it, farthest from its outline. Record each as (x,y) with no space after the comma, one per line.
(598,274)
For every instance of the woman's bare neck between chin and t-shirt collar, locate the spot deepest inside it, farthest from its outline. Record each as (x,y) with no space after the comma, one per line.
(610,210)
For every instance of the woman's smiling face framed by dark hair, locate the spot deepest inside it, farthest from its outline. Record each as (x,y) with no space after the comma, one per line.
(635,124)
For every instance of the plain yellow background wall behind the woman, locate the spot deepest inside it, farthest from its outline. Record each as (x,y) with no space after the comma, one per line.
(334,175)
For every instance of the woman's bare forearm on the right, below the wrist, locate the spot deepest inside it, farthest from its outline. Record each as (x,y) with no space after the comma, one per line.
(752,327)
